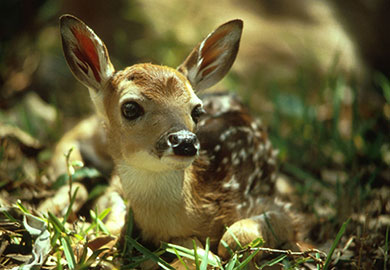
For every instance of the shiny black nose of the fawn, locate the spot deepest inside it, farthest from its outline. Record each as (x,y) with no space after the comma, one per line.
(183,143)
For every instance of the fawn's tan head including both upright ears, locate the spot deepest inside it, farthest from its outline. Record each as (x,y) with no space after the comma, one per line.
(149,111)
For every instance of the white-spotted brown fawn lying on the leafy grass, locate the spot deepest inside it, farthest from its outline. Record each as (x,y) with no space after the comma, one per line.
(189,167)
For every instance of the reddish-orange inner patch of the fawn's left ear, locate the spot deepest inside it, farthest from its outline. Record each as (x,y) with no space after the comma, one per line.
(86,53)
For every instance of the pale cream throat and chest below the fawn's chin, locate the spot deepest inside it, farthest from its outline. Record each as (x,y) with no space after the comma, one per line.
(161,202)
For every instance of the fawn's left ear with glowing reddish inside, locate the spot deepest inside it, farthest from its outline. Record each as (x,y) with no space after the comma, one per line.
(85,53)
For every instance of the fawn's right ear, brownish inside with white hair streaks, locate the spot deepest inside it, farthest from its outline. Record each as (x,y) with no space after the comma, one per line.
(209,62)
